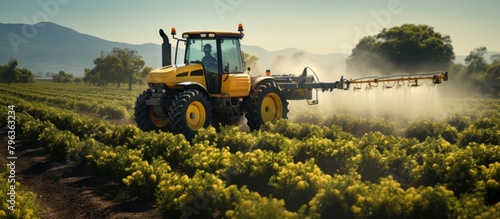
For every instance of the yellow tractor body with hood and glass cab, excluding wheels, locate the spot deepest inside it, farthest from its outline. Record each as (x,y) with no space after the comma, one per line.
(213,64)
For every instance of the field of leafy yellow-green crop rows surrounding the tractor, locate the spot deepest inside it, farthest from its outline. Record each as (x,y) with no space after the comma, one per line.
(315,165)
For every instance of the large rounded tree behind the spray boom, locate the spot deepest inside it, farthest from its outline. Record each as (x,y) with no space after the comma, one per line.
(407,48)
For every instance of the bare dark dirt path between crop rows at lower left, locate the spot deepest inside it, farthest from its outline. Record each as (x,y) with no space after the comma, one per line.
(64,191)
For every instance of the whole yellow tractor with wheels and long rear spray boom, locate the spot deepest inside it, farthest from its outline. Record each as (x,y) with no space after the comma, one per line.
(214,87)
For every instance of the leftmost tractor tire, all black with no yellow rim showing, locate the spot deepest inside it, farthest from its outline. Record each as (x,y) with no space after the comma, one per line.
(145,117)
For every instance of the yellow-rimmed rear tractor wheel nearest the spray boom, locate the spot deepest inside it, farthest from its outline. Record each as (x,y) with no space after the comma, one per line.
(265,104)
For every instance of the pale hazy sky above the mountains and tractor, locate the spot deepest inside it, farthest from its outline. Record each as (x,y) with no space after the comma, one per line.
(316,26)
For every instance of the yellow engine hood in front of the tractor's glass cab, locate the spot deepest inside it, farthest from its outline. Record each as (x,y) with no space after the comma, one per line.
(172,75)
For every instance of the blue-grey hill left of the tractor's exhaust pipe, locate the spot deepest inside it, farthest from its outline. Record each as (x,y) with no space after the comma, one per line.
(54,48)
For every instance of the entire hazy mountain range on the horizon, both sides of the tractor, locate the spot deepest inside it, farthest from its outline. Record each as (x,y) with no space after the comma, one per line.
(48,47)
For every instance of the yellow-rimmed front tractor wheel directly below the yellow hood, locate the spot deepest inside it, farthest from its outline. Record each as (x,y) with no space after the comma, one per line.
(190,110)
